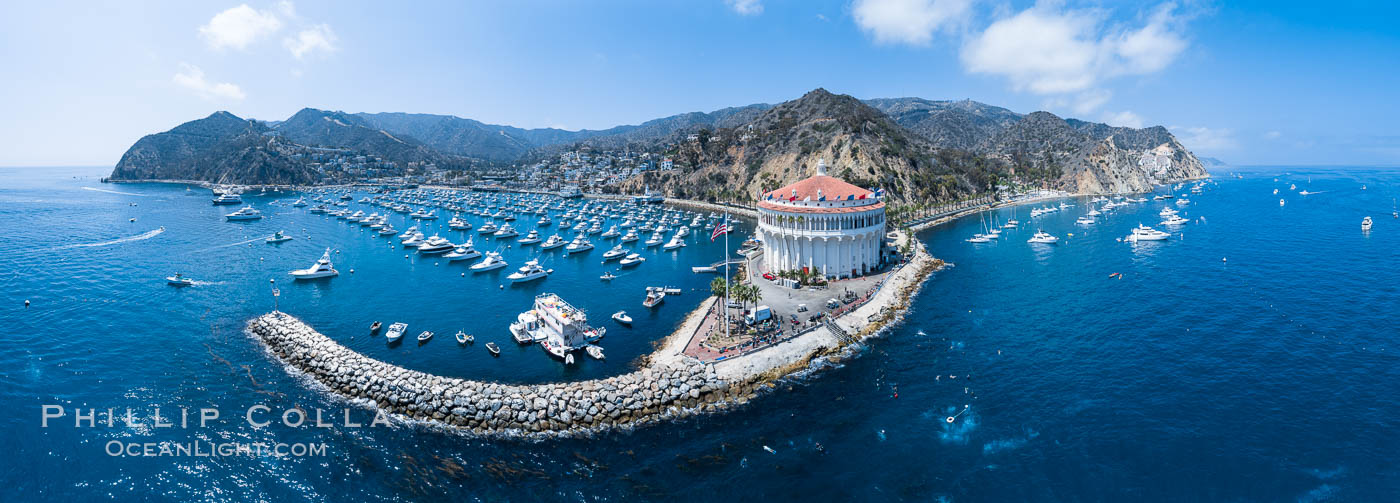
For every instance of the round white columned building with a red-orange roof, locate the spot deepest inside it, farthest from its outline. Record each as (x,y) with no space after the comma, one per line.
(822,225)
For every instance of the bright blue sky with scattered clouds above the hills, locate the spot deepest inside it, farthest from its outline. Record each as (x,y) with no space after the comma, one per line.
(1247,82)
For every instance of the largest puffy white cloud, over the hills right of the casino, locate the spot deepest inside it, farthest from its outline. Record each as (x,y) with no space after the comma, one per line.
(1053,51)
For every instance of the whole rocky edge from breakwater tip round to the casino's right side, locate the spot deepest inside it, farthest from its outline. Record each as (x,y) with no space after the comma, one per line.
(667,386)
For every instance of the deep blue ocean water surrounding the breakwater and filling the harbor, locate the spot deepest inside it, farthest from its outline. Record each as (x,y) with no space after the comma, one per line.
(1248,358)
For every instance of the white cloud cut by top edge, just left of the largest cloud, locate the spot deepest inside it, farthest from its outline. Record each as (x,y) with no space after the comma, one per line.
(909,22)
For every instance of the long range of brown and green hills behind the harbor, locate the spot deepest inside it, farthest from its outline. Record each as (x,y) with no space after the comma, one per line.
(919,151)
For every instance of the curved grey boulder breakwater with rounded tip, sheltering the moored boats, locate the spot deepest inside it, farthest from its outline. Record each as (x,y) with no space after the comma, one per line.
(659,392)
